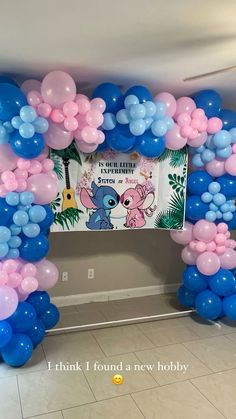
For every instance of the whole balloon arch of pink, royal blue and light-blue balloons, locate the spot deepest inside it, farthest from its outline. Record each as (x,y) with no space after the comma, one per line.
(51,114)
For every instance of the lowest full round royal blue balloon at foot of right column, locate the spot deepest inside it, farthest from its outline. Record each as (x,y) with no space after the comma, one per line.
(208,305)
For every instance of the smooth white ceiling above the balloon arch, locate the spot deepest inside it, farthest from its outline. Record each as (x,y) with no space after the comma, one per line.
(154,42)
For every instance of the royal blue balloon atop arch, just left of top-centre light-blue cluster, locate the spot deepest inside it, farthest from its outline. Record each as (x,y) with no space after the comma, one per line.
(111,94)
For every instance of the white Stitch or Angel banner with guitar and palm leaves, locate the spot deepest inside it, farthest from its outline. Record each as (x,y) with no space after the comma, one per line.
(116,191)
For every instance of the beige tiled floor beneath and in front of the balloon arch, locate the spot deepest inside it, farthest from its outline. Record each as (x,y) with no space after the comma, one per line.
(173,369)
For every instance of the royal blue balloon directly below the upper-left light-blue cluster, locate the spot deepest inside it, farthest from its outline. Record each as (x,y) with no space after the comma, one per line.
(27,148)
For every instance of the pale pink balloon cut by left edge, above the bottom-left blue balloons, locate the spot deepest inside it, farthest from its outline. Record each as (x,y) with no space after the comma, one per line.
(8,301)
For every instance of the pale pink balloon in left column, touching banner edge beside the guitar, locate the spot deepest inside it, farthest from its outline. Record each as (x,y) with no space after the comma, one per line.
(44,188)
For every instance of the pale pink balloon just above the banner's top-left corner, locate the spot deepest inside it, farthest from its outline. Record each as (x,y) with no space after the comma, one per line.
(57,137)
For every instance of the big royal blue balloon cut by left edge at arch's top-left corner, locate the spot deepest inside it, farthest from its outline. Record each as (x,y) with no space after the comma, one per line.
(11,100)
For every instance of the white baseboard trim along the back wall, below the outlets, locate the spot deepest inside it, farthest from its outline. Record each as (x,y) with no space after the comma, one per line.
(92,297)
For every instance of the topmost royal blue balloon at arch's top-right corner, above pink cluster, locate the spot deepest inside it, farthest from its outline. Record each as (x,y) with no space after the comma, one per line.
(208,100)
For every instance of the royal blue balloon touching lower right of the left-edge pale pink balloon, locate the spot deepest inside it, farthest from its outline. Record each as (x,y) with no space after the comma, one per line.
(23,318)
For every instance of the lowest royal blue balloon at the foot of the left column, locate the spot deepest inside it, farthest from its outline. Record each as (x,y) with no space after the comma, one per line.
(18,351)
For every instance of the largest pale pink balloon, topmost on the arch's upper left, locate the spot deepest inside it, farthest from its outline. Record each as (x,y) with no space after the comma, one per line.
(57,88)
